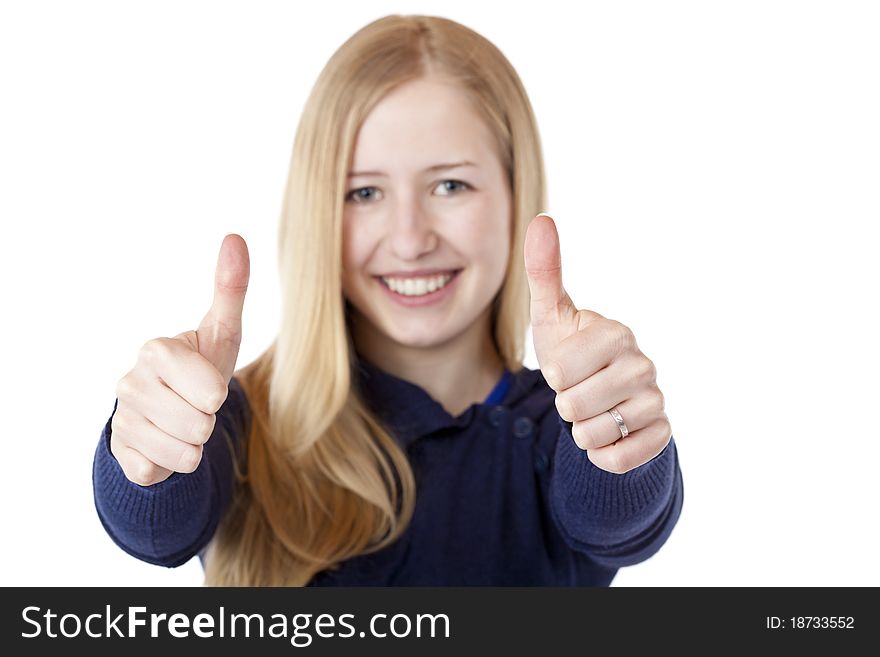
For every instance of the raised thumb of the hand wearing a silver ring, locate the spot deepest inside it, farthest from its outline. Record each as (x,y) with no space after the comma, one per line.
(553,315)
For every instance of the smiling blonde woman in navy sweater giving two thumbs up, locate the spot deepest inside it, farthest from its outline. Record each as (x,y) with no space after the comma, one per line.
(390,435)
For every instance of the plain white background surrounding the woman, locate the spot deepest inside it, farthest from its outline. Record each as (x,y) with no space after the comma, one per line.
(713,171)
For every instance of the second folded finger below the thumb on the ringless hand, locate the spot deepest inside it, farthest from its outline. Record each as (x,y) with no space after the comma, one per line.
(168,410)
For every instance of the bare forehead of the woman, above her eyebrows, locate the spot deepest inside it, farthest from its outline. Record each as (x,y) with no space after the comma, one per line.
(418,124)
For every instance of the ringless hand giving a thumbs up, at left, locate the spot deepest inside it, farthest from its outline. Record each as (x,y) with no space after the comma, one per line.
(167,403)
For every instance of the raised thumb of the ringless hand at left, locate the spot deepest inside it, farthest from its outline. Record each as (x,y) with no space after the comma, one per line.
(219,334)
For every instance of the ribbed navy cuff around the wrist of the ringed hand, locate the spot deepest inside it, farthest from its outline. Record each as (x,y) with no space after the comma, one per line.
(595,507)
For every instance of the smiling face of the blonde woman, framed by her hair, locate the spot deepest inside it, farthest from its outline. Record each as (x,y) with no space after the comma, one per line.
(428,196)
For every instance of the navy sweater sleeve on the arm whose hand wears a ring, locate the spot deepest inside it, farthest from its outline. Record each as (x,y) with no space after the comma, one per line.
(616,519)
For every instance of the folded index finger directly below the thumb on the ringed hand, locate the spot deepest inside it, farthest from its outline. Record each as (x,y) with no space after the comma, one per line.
(580,355)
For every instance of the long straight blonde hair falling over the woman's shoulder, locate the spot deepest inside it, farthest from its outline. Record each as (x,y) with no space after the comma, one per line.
(322,480)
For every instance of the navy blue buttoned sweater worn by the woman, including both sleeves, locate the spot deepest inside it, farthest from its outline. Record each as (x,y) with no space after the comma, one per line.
(504,496)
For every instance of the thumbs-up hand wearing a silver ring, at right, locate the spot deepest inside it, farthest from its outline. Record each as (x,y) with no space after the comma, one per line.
(594,365)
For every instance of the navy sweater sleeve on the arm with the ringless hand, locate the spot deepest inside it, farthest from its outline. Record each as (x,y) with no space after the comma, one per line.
(168,523)
